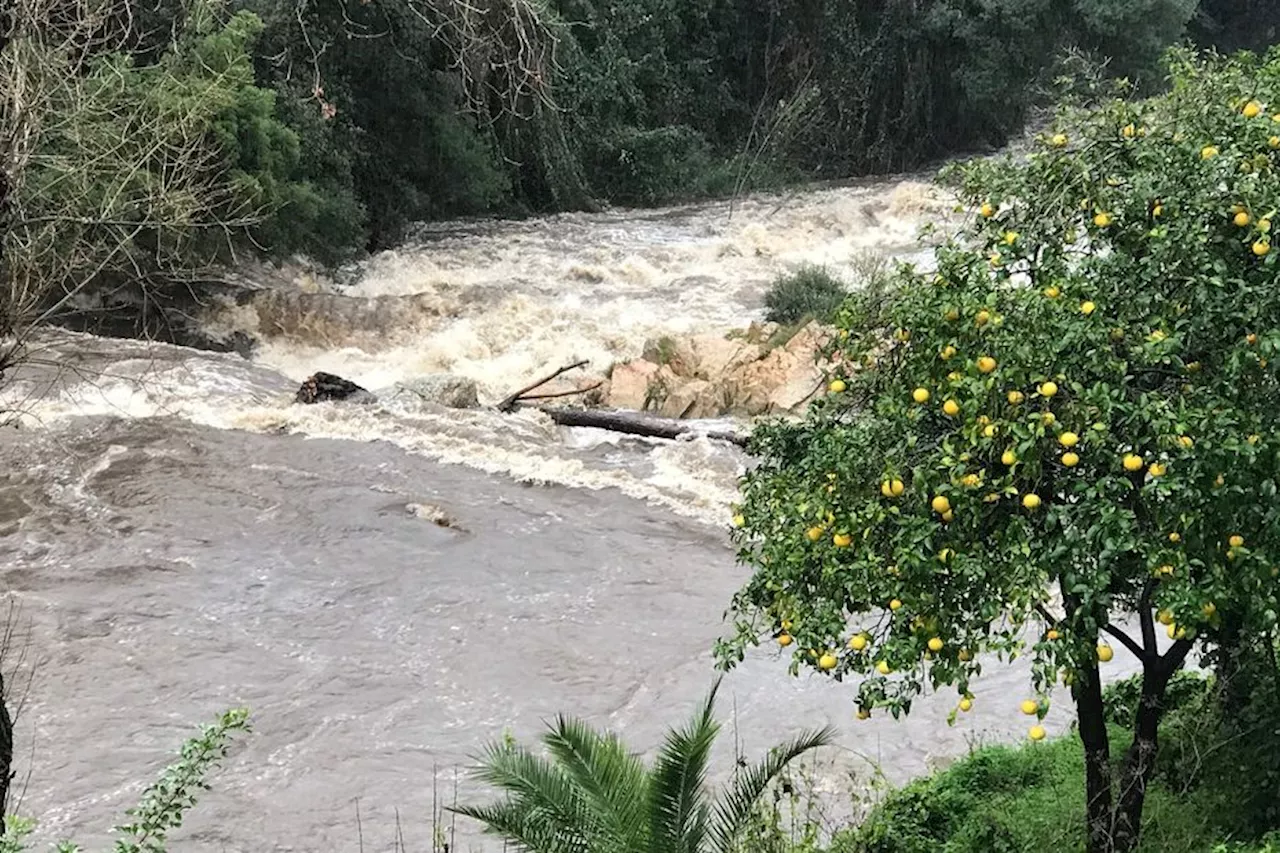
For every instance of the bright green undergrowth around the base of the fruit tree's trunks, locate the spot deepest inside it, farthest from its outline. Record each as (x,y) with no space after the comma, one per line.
(1027,800)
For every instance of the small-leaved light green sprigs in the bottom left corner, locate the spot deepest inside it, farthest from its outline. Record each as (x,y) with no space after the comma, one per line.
(164,802)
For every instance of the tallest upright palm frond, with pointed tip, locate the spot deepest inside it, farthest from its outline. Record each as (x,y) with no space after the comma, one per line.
(679,808)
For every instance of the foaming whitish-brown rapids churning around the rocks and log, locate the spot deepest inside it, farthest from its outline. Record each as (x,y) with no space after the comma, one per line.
(522,299)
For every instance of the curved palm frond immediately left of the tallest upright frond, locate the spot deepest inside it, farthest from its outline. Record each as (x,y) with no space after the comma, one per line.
(611,781)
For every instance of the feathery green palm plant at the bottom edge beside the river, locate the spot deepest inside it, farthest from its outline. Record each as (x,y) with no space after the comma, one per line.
(595,795)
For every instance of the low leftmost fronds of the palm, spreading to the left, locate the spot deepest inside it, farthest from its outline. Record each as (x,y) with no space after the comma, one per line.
(545,800)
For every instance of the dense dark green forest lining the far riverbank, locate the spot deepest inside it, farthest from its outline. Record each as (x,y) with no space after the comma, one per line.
(154,142)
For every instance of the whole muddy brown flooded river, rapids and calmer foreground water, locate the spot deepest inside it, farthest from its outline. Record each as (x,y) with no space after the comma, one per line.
(179,537)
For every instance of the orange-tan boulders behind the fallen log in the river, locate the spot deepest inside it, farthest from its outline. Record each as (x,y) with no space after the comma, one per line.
(708,376)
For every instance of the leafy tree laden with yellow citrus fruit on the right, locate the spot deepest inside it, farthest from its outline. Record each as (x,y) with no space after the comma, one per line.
(1058,444)
